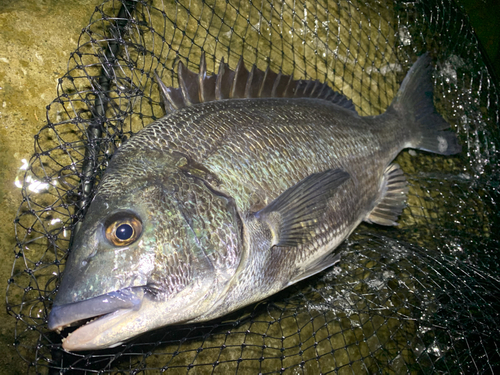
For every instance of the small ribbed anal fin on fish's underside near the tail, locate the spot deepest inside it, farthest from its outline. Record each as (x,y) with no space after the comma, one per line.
(393,194)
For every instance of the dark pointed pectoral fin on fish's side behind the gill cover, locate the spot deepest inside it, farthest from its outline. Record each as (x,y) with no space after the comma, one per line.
(292,217)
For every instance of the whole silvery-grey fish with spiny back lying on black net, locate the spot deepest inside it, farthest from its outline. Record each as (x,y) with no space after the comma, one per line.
(246,186)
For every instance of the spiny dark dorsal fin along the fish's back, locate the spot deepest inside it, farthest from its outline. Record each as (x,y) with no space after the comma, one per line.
(240,83)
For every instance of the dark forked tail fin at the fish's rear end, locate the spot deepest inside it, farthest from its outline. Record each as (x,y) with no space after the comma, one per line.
(414,102)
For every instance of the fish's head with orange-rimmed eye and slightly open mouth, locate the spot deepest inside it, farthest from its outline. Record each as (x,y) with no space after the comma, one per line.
(157,246)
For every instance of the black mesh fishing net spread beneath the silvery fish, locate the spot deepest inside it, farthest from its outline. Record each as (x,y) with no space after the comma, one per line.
(423,297)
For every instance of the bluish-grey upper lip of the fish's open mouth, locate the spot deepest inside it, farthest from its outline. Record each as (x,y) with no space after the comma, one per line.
(69,314)
